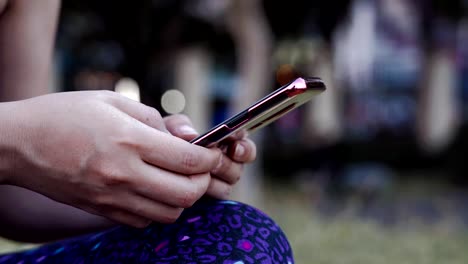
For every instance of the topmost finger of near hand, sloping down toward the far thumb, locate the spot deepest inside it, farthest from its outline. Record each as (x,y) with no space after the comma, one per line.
(143,113)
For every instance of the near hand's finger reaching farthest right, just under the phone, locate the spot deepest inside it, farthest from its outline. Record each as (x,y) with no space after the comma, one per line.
(175,154)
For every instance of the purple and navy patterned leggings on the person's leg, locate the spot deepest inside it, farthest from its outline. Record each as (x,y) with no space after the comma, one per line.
(212,231)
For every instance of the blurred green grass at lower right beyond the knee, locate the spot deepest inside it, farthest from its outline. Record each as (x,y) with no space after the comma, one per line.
(345,239)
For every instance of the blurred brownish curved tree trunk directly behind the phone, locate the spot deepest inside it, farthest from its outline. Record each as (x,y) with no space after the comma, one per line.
(252,38)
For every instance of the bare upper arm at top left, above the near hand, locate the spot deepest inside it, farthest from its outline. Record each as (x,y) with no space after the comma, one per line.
(27,30)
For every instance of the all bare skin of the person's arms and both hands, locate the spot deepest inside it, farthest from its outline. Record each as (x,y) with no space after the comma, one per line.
(66,159)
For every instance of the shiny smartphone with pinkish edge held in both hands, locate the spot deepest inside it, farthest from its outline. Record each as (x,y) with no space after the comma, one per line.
(264,111)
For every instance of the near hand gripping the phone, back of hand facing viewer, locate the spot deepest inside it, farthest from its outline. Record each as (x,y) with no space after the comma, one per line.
(105,154)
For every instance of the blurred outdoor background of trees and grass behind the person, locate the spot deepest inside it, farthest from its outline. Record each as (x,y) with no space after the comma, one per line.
(371,171)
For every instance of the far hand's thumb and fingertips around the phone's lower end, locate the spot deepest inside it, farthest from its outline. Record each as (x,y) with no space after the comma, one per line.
(238,151)
